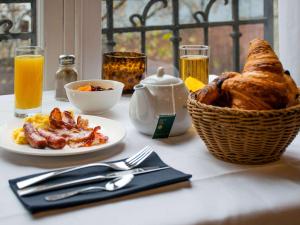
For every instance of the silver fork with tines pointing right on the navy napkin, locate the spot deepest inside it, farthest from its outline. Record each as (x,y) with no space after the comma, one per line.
(126,164)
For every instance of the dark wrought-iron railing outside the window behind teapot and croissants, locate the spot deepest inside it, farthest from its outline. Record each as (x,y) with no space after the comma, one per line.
(201,17)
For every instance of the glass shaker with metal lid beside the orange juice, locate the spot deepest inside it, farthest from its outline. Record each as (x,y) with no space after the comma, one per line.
(66,73)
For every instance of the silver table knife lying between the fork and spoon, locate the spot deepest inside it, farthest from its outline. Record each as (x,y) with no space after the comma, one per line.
(47,187)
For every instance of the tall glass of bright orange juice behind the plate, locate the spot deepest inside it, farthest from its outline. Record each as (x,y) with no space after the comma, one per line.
(28,82)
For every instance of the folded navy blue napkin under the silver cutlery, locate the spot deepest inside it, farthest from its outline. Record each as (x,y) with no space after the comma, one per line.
(37,203)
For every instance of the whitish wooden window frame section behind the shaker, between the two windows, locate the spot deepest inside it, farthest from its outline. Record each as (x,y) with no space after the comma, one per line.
(75,29)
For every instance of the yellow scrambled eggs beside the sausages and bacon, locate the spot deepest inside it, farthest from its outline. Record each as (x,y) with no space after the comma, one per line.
(38,121)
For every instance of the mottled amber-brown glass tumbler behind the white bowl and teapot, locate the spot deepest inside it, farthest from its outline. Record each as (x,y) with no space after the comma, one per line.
(126,67)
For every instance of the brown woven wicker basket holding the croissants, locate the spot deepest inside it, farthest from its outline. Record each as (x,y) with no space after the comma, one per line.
(244,136)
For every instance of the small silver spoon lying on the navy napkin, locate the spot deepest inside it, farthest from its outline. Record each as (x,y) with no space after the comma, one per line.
(112,185)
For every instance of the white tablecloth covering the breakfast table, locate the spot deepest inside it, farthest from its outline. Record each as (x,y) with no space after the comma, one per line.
(219,192)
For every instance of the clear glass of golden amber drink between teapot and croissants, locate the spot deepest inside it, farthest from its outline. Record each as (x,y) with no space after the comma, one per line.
(194,62)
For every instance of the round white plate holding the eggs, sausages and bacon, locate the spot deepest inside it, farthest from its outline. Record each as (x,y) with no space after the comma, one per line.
(111,128)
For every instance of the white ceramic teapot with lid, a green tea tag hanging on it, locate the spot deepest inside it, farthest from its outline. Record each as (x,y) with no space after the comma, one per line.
(159,94)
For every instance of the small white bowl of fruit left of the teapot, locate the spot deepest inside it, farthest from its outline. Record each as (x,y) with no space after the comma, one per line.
(94,102)
